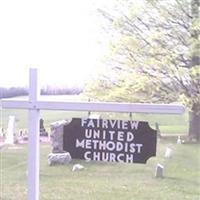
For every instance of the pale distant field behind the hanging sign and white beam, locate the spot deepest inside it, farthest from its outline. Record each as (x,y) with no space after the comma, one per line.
(169,124)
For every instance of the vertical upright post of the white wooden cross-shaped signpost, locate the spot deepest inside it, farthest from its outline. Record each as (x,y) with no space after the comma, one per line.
(33,137)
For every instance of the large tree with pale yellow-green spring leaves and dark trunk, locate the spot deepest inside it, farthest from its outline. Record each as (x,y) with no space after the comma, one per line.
(155,55)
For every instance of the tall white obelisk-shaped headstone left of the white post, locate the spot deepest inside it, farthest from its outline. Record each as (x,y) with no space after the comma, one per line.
(10,138)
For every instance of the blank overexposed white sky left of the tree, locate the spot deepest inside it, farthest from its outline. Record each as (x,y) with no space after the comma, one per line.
(55,36)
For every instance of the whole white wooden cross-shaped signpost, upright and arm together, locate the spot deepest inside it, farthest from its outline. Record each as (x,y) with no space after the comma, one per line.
(34,105)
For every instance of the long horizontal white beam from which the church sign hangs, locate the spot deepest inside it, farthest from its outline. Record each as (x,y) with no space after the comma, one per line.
(96,106)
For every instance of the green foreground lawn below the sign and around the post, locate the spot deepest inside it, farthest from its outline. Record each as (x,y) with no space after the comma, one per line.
(106,181)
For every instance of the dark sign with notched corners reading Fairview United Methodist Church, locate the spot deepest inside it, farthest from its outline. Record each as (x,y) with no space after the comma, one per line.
(109,140)
